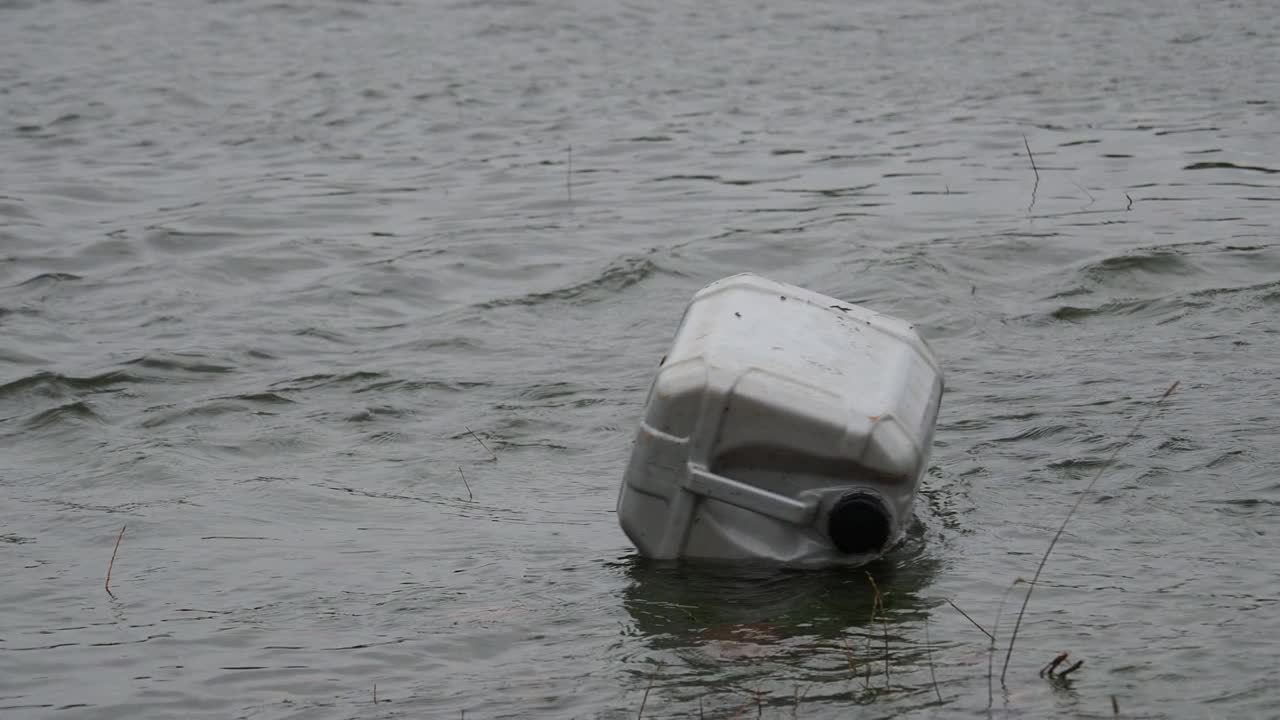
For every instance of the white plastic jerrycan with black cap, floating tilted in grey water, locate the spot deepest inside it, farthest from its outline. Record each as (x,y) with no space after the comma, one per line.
(783,426)
